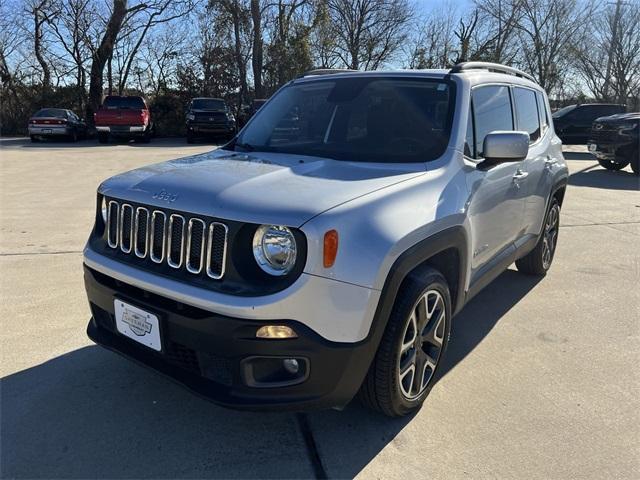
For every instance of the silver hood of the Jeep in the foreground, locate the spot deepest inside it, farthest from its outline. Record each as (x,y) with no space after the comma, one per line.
(255,187)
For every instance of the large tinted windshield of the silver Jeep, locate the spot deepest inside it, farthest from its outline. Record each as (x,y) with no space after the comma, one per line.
(356,119)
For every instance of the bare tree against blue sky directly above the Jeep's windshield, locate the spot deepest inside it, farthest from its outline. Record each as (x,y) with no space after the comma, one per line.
(369,32)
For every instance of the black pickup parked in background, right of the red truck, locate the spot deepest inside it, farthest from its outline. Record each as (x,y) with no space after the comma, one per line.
(209,117)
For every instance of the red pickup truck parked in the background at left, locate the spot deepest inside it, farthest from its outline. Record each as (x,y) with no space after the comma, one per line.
(123,116)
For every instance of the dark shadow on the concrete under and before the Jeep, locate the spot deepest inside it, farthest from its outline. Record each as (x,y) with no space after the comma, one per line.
(91,414)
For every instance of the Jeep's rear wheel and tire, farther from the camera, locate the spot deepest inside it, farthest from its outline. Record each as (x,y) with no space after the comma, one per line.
(538,261)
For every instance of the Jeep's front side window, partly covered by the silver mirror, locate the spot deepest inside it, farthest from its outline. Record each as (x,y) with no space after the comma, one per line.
(492,111)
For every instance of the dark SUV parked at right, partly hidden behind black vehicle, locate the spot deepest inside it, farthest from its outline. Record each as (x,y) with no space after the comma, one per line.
(573,123)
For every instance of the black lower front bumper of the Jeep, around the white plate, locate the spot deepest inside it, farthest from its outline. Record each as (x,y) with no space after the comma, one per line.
(207,352)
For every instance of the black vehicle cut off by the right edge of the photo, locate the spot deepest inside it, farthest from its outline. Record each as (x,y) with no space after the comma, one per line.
(615,141)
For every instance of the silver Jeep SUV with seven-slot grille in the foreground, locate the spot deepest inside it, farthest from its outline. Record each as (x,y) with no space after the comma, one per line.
(325,250)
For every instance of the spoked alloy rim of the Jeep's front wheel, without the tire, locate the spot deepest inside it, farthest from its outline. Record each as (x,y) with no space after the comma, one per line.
(421,344)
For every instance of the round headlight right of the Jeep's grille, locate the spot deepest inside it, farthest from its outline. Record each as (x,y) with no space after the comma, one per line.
(274,248)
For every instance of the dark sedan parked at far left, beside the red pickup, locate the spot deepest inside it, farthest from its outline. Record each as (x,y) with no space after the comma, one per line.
(56,122)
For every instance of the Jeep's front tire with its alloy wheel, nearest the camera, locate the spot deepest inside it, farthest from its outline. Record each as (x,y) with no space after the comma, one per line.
(391,385)
